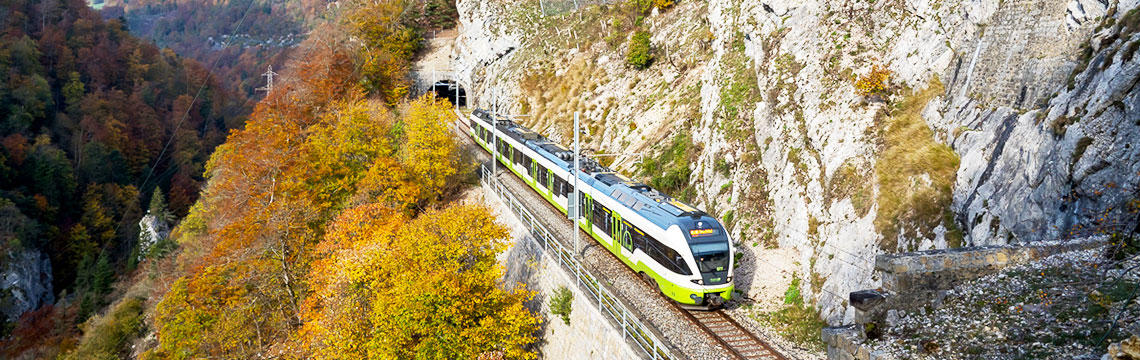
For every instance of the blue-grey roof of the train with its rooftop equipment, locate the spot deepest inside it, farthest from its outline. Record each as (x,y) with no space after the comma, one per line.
(650,203)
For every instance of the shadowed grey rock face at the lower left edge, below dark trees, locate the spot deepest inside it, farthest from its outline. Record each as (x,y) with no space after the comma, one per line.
(26,283)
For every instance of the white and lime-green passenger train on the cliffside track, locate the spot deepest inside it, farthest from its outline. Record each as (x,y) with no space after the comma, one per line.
(683,251)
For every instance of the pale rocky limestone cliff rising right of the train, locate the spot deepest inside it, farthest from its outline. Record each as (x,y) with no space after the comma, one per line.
(999,122)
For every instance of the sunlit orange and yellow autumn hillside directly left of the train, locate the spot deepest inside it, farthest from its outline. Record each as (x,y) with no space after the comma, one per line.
(332,209)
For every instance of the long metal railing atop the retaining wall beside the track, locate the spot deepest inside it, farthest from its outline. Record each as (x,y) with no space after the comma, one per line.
(608,305)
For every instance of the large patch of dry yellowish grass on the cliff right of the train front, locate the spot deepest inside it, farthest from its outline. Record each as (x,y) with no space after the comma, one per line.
(916,175)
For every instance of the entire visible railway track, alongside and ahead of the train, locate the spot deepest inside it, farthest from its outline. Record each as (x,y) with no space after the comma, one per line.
(731,337)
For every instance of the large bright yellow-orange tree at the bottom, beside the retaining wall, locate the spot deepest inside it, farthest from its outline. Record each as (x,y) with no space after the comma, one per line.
(420,290)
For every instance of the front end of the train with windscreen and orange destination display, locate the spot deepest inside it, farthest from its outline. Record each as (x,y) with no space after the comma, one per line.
(712,250)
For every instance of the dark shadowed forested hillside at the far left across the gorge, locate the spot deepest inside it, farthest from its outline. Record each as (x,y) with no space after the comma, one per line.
(92,121)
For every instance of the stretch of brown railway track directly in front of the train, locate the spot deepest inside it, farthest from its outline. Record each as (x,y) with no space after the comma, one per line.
(736,339)
